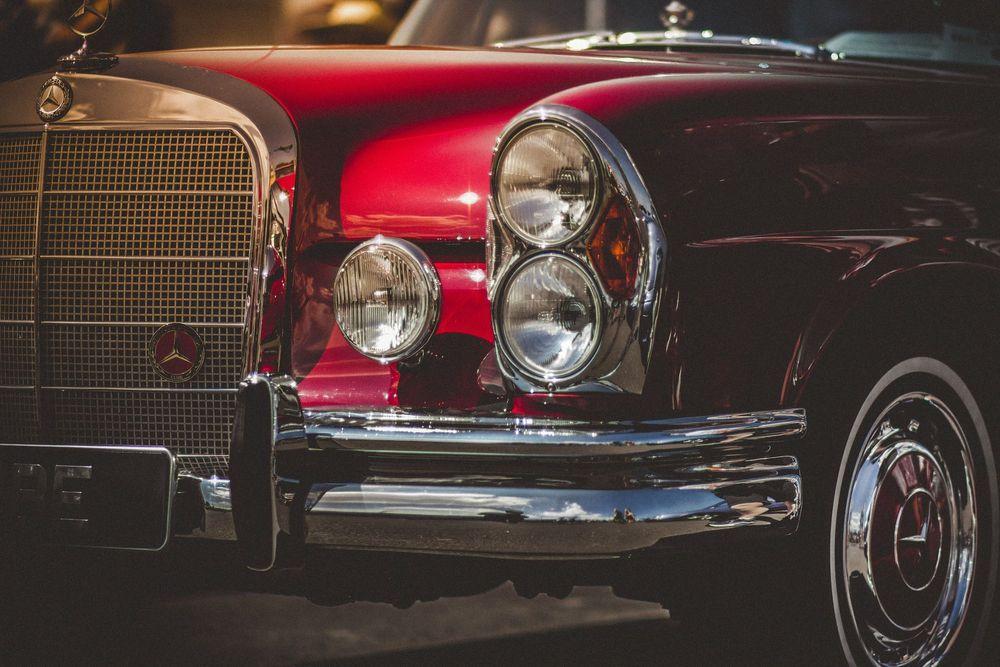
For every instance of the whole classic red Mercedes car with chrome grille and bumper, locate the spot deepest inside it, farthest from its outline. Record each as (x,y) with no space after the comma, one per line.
(609,295)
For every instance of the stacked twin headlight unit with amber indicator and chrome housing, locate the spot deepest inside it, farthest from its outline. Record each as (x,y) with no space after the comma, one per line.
(565,254)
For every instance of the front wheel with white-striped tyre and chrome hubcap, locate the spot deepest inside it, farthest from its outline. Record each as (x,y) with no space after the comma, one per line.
(913,557)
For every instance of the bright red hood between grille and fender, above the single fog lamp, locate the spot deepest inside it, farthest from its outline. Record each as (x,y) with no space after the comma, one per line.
(398,141)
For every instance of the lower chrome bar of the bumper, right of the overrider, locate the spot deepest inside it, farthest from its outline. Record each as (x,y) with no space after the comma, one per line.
(544,523)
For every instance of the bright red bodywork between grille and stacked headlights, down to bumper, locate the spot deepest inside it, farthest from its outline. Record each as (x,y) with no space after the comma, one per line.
(396,142)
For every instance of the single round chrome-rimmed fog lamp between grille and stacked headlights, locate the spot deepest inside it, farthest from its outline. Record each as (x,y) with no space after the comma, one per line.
(387,298)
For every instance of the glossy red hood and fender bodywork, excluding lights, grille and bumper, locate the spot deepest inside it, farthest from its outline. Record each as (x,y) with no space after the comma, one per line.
(791,192)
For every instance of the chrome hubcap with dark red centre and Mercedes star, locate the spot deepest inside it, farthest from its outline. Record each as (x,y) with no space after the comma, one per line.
(909,534)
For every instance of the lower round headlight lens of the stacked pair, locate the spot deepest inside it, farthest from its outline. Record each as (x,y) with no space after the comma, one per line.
(550,316)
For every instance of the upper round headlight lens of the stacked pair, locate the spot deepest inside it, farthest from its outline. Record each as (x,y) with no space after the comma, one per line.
(547,184)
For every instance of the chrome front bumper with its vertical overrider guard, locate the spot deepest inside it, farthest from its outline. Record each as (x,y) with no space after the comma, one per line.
(496,486)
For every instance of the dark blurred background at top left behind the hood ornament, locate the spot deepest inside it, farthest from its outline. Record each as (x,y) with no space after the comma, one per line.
(33,33)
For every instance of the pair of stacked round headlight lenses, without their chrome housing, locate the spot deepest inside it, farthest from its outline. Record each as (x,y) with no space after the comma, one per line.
(546,190)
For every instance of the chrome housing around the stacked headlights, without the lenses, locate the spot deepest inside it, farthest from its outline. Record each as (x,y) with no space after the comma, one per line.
(622,360)
